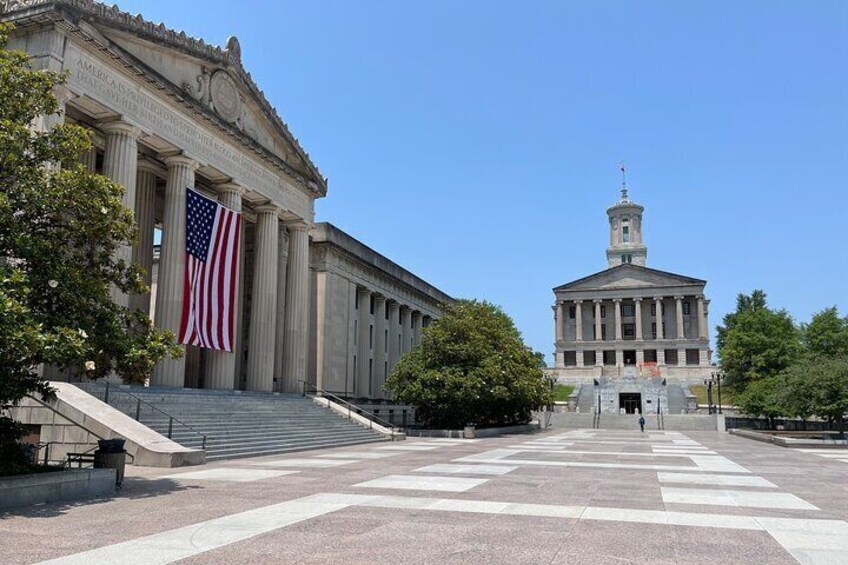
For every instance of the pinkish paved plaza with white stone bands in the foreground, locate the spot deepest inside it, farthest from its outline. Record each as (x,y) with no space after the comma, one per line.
(581,496)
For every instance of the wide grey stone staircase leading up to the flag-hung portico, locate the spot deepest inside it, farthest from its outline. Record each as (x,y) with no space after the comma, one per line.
(237,424)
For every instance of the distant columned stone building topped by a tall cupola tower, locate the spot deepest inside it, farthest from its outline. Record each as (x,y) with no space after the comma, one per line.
(631,319)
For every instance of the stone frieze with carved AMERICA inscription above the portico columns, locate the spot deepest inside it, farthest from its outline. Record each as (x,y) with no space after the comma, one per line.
(92,77)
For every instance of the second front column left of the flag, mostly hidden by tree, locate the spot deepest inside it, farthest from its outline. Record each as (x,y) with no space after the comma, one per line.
(120,163)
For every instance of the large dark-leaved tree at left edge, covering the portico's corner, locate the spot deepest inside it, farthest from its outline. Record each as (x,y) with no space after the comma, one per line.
(59,229)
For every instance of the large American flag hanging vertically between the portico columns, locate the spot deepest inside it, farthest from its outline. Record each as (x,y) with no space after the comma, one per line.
(211,276)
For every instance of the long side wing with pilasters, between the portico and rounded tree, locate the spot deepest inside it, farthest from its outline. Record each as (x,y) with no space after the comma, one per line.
(366,312)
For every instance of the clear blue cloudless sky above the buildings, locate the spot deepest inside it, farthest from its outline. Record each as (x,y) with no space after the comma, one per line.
(477,143)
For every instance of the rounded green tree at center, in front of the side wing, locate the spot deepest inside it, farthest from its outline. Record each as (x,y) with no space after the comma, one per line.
(471,367)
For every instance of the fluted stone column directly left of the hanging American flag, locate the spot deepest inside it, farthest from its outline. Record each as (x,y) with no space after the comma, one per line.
(169,289)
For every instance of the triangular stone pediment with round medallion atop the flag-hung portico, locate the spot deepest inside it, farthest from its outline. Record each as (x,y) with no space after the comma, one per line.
(211,76)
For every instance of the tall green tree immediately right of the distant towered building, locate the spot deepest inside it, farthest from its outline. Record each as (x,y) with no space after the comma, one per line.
(756,342)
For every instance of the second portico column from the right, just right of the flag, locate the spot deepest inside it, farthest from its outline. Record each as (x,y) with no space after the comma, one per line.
(263,307)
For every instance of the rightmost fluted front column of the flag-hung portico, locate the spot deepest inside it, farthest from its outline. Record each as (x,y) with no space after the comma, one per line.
(296,338)
